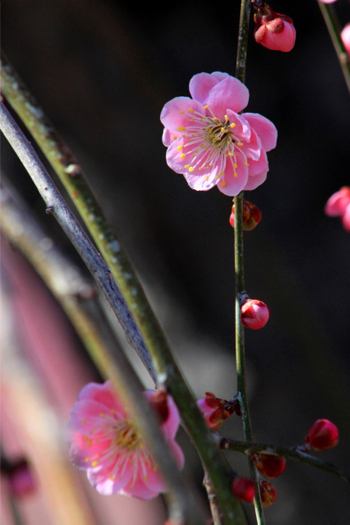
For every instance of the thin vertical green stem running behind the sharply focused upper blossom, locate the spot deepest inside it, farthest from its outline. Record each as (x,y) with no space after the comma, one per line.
(241,65)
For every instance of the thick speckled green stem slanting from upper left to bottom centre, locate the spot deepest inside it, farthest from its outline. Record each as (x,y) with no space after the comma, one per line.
(124,275)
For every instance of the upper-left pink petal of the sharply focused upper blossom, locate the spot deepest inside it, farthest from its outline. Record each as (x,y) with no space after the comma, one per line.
(175,114)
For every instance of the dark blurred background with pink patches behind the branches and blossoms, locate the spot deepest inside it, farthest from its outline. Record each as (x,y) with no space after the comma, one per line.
(102,70)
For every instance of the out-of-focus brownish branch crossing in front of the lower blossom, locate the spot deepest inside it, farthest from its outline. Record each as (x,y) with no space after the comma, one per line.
(76,296)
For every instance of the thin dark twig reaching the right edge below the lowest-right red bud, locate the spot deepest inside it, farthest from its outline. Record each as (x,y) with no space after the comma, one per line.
(295,453)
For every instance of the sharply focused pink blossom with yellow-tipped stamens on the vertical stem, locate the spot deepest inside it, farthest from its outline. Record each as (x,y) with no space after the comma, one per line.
(210,142)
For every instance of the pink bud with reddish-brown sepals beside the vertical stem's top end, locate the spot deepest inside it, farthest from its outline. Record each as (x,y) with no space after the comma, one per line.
(273,30)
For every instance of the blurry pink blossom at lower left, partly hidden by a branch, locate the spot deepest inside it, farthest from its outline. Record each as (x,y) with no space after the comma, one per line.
(106,443)
